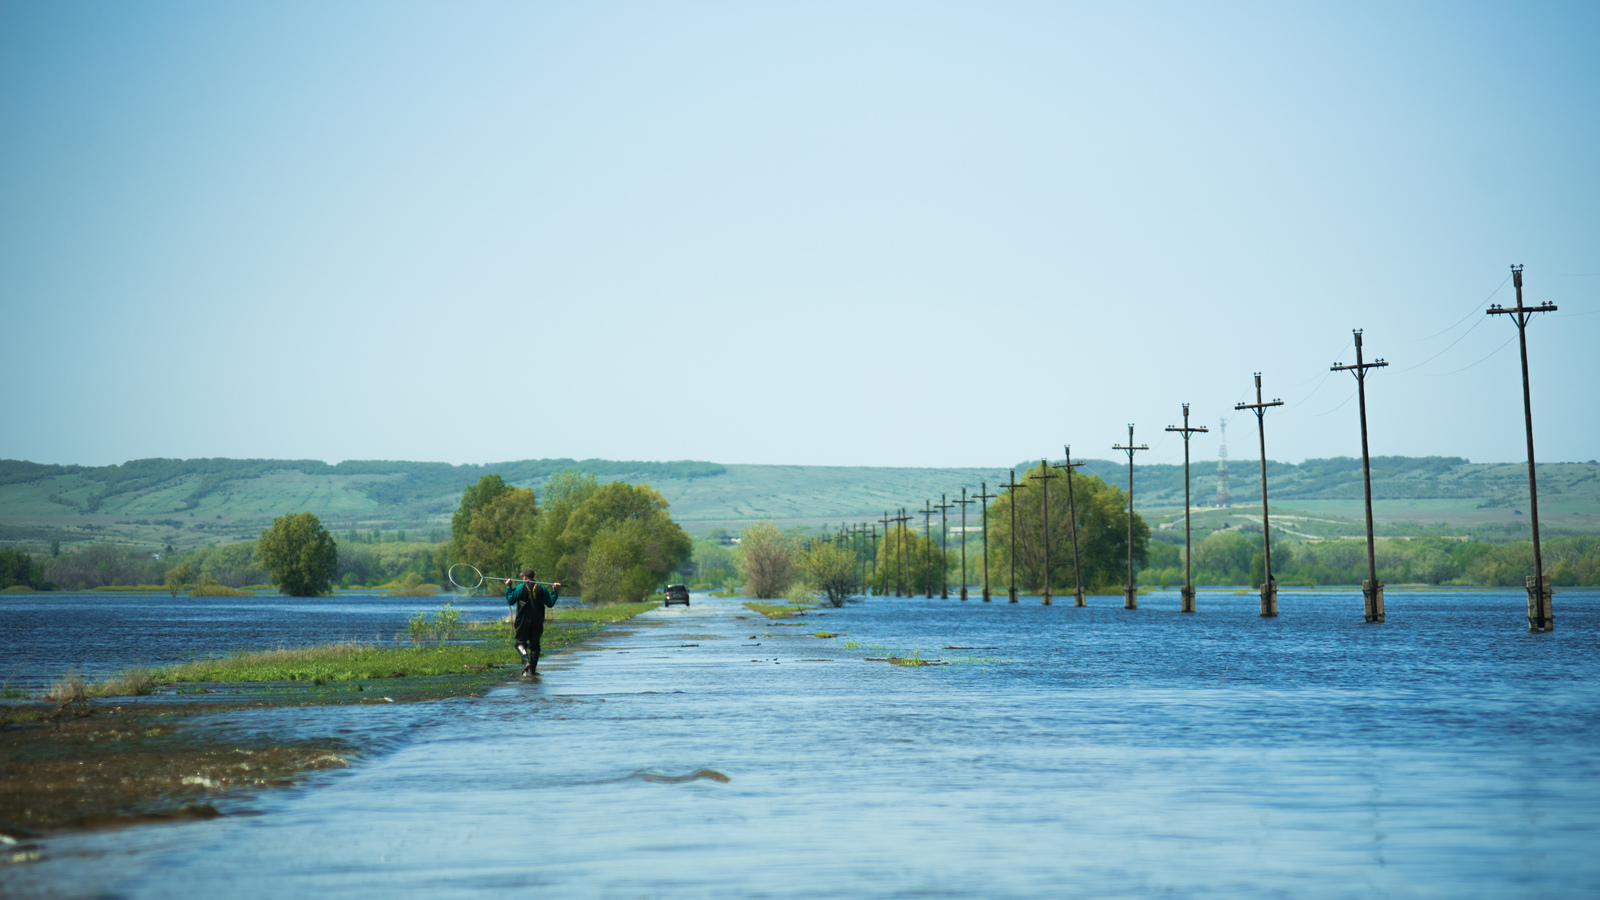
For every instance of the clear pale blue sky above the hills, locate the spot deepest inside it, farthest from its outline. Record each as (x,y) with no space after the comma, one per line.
(926,235)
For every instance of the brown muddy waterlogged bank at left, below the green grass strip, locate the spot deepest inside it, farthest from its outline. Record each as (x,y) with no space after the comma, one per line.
(175,757)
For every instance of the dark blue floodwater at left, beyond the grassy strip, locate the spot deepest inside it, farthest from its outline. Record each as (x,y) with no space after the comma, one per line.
(102,633)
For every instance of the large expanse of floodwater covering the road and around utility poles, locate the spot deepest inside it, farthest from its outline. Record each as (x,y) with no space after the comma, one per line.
(1095,752)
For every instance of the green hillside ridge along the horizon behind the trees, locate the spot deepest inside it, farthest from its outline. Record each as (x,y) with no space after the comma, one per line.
(188,502)
